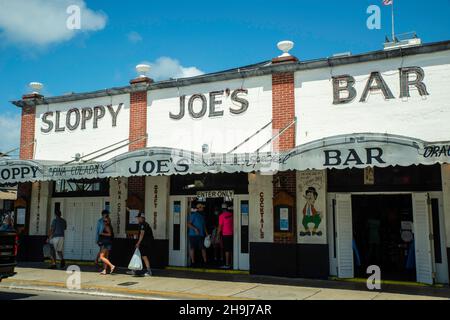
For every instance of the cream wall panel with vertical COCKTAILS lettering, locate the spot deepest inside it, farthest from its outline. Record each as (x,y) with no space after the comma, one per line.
(260,187)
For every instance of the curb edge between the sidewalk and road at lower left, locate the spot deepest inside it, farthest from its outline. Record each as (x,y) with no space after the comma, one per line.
(95,289)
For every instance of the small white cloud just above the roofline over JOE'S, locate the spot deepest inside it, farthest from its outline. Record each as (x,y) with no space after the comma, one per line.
(165,68)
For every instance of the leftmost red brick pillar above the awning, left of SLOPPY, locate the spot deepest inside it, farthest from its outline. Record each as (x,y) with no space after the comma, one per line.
(27,132)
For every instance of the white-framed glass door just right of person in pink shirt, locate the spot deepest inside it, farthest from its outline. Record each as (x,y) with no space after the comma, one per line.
(241,232)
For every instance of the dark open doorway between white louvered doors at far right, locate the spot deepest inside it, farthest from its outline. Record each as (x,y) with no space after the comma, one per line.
(383,235)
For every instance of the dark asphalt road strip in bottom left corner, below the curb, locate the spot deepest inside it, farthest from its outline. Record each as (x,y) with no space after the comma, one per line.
(9,294)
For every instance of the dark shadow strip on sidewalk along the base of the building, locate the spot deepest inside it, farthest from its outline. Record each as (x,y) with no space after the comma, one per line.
(407,289)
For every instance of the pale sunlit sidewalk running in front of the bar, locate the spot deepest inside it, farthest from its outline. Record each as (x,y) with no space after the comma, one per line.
(174,284)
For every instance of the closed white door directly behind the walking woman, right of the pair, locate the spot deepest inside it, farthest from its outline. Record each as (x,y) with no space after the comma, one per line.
(91,213)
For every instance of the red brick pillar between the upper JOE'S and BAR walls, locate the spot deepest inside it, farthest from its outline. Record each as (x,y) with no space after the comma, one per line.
(283,113)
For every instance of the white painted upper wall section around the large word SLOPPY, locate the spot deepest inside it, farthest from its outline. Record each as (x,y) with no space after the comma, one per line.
(64,145)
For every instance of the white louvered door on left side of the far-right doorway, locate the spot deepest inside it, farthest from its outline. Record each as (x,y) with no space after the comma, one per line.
(344,235)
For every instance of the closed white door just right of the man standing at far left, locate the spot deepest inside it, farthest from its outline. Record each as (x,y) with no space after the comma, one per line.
(74,234)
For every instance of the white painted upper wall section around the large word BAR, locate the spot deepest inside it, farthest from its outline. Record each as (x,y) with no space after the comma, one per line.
(426,118)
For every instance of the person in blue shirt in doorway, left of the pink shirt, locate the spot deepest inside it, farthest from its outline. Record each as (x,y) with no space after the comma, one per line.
(197,232)
